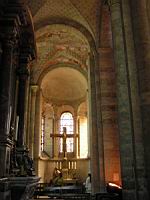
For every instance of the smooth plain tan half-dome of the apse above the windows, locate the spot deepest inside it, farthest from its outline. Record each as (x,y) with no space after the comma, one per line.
(56,89)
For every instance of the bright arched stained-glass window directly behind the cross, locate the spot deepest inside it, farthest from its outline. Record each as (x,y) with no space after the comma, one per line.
(66,120)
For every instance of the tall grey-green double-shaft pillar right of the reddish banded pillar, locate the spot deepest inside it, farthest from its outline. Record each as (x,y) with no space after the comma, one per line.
(129,119)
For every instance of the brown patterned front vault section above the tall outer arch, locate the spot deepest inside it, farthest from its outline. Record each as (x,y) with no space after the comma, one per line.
(85,12)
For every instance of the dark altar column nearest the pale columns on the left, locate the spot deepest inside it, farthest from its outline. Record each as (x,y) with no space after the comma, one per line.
(23,74)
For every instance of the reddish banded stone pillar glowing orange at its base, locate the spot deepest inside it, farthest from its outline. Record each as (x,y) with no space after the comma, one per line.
(108,99)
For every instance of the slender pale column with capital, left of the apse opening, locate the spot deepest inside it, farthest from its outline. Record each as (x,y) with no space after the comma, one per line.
(34,89)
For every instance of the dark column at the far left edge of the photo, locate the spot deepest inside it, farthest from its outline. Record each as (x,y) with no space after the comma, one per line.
(6,73)
